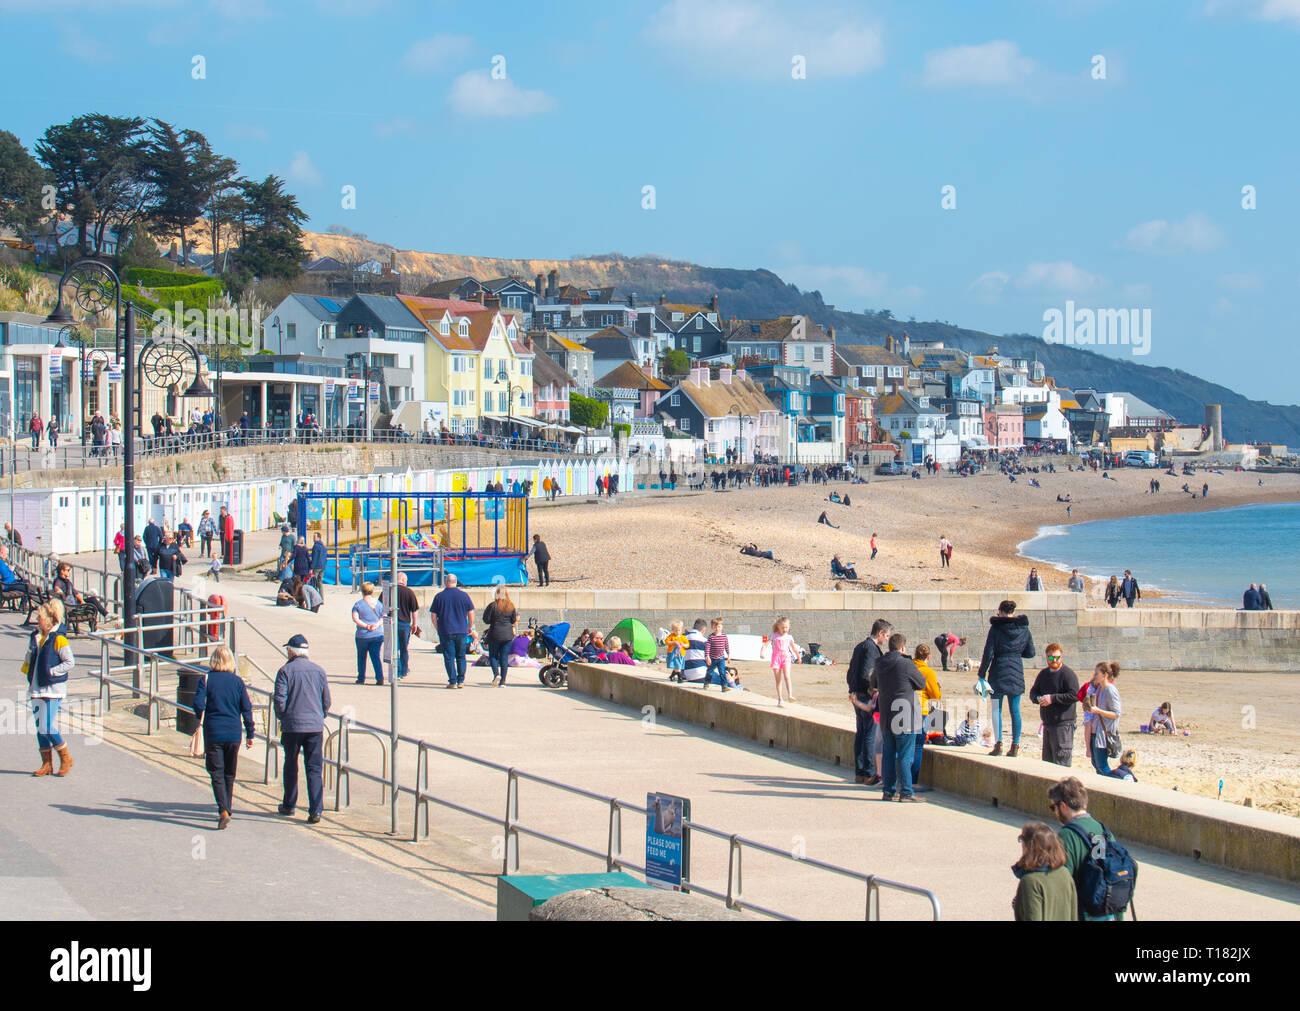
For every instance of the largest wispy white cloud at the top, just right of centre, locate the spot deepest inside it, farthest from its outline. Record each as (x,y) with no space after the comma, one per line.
(761,38)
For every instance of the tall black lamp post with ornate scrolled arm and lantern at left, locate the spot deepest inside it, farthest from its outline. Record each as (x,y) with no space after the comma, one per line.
(96,285)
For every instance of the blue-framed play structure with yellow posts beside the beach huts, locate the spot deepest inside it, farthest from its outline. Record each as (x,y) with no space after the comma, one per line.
(482,537)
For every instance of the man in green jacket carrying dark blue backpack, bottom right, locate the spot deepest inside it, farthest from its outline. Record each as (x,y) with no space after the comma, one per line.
(1104,874)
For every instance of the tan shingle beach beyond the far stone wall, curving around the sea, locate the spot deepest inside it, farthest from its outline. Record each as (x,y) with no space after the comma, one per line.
(692,540)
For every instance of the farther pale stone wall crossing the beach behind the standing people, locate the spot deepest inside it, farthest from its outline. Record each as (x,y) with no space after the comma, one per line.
(1138,639)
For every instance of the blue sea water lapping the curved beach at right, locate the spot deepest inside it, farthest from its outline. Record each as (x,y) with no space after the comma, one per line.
(1201,558)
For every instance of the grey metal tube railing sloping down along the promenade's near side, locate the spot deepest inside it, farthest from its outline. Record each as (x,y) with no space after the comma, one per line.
(148,662)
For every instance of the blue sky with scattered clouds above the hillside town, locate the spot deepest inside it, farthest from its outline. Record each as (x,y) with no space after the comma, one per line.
(1124,192)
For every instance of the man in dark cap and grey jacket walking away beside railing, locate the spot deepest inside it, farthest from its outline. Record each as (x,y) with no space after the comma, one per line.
(302,701)
